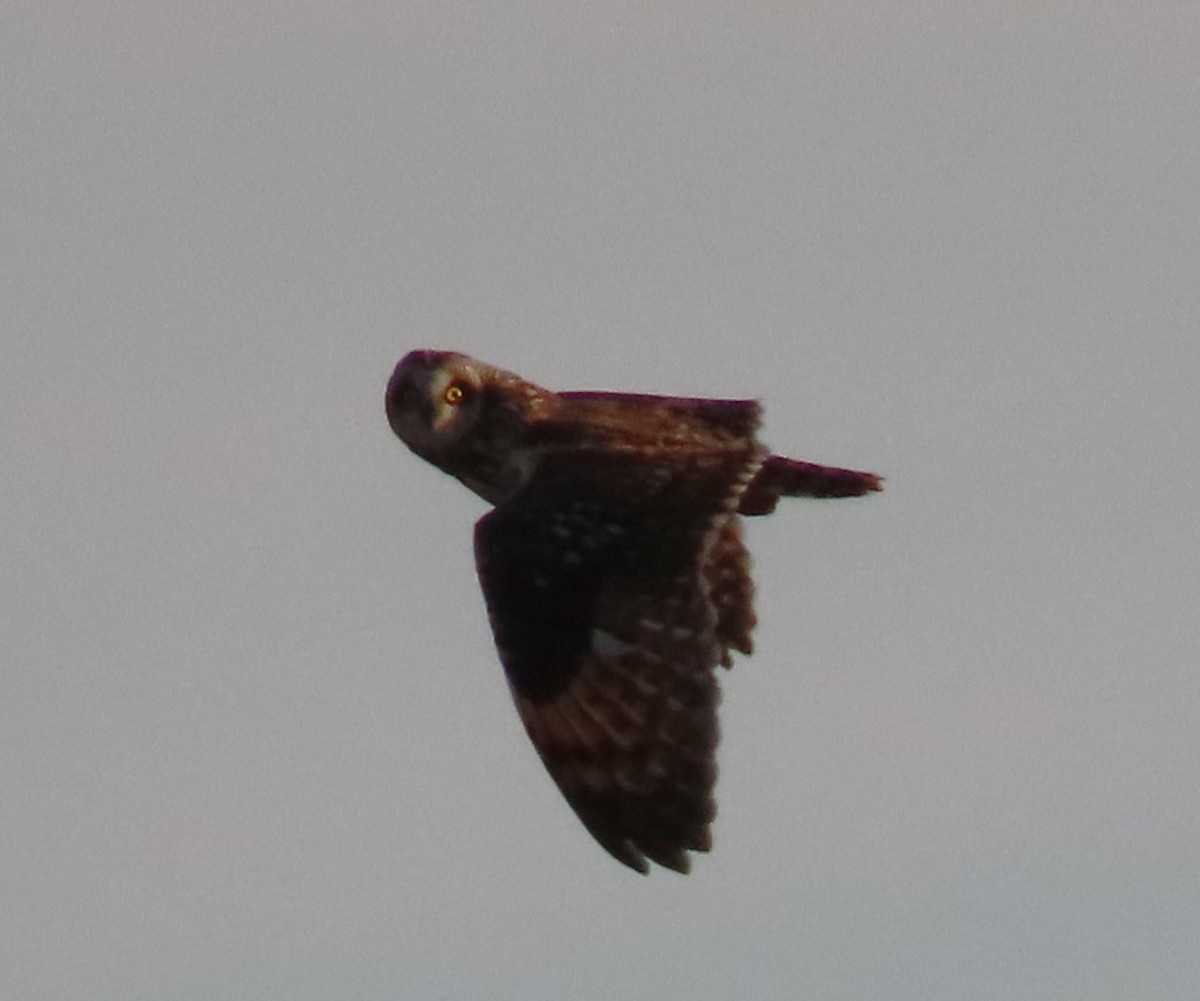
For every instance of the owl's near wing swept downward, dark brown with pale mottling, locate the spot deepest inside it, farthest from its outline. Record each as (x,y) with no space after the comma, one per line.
(611,594)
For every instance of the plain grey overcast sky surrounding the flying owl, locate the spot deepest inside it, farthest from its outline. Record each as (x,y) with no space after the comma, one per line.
(255,741)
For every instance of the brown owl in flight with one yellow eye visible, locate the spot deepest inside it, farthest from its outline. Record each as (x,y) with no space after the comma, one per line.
(615,577)
